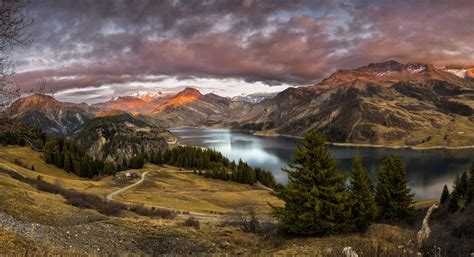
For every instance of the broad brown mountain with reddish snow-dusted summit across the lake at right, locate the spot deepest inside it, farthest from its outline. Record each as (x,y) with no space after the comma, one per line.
(384,103)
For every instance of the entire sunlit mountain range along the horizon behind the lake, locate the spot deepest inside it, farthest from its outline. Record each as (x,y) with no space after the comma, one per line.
(386,103)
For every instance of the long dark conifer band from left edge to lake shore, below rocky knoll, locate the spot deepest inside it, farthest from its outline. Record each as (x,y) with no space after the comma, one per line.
(68,155)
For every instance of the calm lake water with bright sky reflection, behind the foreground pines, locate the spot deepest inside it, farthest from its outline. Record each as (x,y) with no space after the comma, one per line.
(428,170)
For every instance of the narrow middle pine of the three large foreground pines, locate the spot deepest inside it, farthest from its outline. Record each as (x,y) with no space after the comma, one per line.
(363,207)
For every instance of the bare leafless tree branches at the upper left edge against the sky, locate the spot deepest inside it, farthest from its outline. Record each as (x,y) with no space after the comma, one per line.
(13,24)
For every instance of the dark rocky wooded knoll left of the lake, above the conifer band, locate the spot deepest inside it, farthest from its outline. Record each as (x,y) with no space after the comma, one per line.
(118,138)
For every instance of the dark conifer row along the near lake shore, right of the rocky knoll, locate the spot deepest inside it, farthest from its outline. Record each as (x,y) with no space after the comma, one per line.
(212,164)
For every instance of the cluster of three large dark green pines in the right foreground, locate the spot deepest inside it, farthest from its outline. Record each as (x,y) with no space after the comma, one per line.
(319,202)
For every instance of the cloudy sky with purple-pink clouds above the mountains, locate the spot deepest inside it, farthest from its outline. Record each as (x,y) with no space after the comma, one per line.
(89,50)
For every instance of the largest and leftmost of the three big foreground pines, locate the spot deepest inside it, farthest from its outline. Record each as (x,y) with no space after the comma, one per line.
(316,196)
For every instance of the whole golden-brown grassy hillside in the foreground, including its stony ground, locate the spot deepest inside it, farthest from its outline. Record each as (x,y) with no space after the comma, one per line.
(45,224)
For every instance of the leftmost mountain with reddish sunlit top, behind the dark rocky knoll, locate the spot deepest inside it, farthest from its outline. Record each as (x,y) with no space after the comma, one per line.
(53,117)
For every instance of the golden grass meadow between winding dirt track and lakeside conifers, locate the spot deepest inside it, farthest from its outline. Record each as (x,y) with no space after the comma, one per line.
(168,187)
